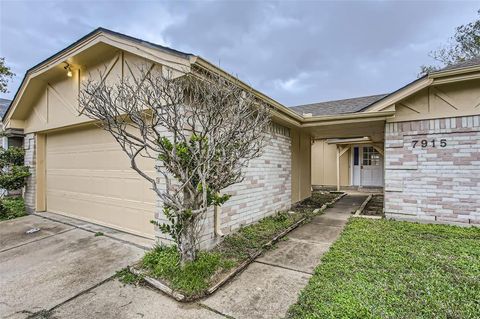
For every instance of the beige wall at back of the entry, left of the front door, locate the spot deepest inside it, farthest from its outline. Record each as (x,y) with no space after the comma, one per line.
(324,165)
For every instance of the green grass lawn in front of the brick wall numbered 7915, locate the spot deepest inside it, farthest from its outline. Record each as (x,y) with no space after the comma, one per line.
(389,269)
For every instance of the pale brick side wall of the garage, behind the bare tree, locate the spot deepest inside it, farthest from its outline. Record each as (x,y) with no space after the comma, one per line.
(265,190)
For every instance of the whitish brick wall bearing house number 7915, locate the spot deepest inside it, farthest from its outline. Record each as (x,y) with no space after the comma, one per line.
(436,184)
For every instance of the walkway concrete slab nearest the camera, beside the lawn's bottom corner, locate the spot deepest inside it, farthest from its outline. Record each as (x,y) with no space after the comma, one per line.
(261,291)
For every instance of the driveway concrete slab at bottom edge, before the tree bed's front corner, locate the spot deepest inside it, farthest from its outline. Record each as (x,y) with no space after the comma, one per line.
(115,300)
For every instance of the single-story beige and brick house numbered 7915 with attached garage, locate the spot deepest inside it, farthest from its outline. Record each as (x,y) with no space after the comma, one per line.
(421,143)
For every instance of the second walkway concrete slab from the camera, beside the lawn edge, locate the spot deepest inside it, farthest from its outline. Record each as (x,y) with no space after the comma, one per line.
(294,254)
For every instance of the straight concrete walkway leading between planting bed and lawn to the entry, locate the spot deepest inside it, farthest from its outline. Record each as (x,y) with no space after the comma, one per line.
(272,283)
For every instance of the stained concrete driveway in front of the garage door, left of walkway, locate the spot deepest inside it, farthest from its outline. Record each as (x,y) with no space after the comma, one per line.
(65,271)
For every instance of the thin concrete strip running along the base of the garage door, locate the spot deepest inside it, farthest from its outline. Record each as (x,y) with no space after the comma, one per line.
(142,242)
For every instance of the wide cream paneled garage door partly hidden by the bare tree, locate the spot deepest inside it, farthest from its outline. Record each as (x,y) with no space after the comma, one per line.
(89,177)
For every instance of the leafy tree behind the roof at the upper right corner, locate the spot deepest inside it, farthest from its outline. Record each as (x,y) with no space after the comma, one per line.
(463,46)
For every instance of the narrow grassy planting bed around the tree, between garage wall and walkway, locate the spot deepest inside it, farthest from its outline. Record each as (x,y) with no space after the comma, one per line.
(194,278)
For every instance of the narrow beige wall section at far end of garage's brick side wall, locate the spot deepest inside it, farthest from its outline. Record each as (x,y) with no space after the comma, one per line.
(301,165)
